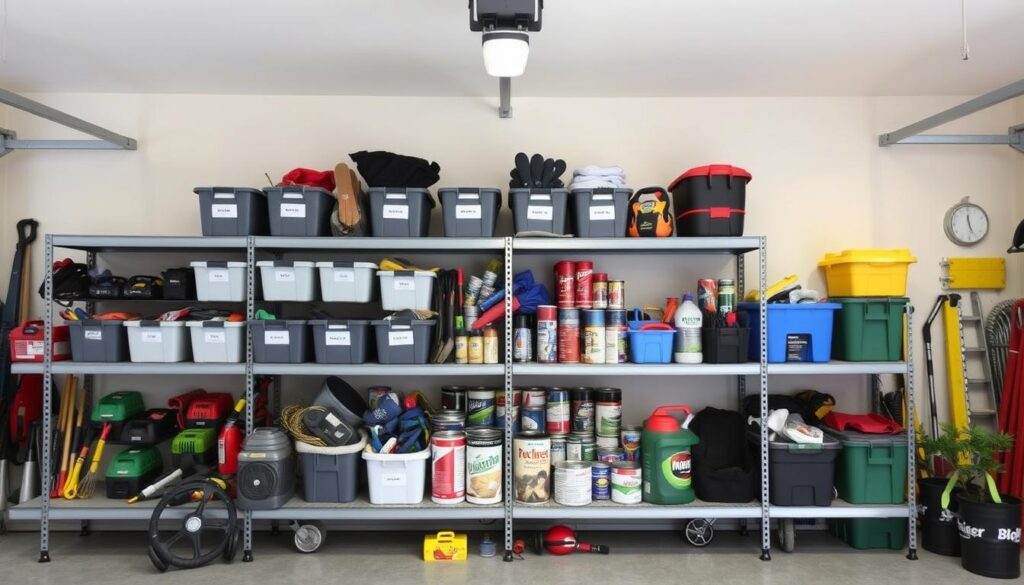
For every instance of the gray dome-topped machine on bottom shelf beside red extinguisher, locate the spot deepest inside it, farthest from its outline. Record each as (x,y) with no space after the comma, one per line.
(267,471)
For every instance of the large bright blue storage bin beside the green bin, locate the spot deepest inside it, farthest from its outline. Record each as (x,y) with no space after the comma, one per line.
(796,332)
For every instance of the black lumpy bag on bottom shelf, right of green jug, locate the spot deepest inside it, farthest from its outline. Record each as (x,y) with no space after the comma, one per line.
(723,467)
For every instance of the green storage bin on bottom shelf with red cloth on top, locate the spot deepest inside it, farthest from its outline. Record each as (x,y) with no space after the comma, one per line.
(872,469)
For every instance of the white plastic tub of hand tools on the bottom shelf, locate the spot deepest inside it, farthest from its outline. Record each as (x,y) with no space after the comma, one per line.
(397,479)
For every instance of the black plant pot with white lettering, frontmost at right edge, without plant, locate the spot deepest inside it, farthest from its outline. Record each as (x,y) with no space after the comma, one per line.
(991,537)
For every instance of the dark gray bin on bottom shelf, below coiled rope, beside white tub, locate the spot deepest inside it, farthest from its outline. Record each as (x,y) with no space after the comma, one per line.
(331,474)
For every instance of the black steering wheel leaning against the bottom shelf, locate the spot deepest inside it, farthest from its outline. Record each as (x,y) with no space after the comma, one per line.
(198,528)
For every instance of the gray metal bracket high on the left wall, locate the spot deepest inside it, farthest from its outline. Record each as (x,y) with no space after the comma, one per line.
(108,141)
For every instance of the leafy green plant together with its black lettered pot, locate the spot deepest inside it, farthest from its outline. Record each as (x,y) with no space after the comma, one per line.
(990,523)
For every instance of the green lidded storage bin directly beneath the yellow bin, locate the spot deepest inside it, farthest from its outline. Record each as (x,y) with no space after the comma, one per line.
(869,329)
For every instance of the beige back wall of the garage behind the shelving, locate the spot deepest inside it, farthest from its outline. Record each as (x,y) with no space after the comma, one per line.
(821,183)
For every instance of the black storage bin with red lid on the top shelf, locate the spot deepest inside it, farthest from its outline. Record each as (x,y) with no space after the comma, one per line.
(711,201)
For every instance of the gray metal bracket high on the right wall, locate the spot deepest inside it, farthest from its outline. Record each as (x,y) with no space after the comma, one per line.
(913,135)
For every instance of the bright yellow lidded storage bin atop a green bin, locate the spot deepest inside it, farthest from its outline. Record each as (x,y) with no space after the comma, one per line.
(868,273)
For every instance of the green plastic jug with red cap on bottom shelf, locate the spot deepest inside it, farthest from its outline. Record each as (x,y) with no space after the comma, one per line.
(665,445)
